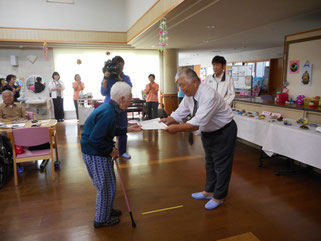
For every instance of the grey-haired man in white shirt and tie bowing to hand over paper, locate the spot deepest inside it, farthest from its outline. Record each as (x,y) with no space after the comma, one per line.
(212,118)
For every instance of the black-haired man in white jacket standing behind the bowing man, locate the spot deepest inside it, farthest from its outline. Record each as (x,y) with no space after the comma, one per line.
(221,82)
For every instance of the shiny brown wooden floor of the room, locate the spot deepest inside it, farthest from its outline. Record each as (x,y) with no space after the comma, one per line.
(163,172)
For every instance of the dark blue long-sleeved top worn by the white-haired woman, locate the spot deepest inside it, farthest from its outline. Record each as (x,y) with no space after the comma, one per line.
(100,129)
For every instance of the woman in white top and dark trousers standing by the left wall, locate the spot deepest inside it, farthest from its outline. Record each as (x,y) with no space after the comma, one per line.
(56,88)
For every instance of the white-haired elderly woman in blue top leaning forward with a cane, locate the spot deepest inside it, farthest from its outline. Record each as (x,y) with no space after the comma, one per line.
(98,151)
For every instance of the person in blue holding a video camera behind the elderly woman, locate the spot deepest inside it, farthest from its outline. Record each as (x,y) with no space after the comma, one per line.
(113,73)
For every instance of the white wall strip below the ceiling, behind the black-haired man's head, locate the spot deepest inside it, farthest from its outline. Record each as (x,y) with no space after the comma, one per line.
(205,59)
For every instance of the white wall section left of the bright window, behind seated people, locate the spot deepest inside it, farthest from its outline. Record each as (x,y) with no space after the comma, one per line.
(42,67)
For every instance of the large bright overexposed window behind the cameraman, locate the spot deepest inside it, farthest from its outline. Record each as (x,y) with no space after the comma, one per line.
(138,65)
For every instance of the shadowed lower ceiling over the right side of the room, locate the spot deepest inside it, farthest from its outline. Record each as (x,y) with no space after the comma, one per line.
(233,25)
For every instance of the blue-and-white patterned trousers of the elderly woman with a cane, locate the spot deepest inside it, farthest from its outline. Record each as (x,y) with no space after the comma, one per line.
(101,172)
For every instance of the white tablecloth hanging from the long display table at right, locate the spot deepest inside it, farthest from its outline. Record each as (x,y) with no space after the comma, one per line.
(274,137)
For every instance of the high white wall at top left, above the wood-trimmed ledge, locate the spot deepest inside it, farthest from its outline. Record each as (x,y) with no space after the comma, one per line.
(99,15)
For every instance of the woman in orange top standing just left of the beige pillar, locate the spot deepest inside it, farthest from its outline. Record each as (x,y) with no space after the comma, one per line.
(151,91)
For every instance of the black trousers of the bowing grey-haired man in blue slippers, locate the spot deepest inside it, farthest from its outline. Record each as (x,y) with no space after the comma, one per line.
(219,151)
